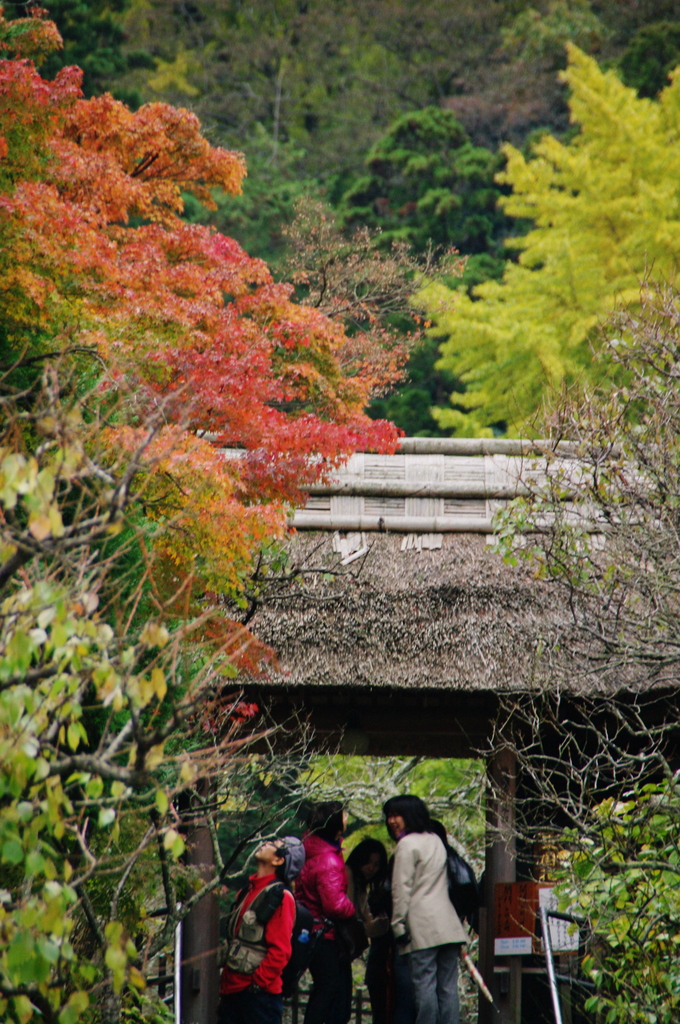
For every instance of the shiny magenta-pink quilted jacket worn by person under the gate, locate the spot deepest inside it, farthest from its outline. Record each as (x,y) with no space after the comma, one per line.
(322,885)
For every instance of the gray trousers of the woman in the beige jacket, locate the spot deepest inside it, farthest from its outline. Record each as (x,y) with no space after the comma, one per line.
(435,973)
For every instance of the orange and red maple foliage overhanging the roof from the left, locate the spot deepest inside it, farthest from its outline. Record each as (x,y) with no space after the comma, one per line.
(193,333)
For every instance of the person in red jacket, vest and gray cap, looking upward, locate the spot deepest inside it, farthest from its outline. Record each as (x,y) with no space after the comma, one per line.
(261,933)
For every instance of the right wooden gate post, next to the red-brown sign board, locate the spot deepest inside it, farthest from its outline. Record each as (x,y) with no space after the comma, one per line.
(500,867)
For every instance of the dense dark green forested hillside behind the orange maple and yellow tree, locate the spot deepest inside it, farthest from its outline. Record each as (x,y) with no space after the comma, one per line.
(392,112)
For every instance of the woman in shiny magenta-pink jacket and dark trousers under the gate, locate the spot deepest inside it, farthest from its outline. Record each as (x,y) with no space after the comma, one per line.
(322,887)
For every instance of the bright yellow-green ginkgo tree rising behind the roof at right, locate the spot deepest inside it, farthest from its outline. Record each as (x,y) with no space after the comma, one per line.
(606,212)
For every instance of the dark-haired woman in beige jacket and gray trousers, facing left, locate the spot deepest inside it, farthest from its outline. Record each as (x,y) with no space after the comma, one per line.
(424,922)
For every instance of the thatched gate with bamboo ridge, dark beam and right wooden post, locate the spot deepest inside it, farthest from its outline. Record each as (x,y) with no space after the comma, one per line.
(403,628)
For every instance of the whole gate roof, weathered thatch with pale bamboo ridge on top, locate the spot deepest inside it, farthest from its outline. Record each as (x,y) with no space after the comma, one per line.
(418,602)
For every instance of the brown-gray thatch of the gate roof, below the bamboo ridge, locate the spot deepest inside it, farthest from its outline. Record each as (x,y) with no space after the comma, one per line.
(450,617)
